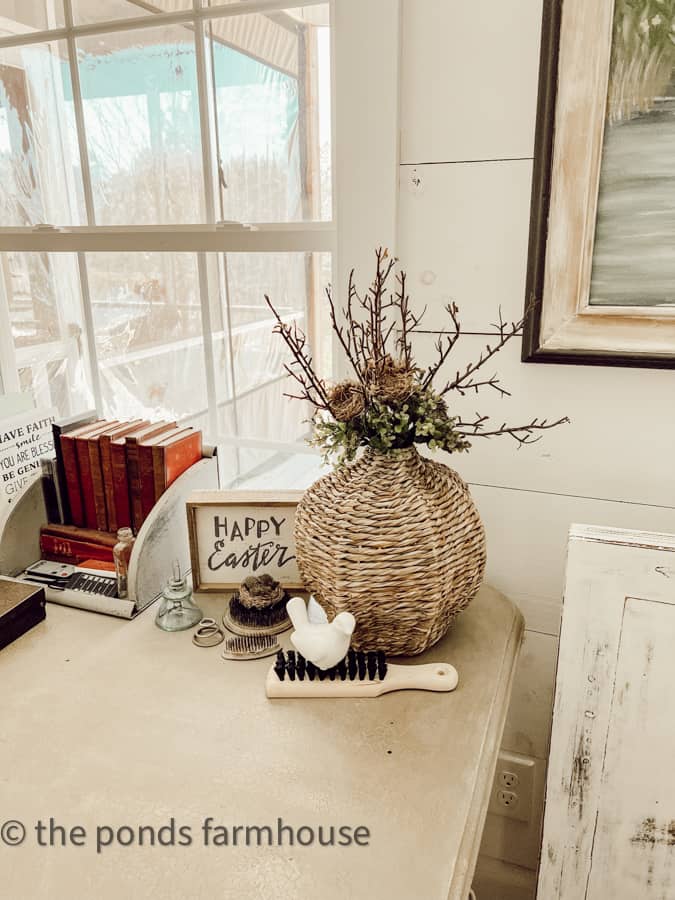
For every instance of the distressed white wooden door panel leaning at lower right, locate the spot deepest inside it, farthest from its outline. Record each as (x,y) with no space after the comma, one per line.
(612,740)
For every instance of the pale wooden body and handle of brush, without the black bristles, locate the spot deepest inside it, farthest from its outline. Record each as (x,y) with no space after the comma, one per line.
(428,677)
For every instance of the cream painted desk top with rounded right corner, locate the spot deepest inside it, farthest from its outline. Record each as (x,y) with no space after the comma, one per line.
(108,722)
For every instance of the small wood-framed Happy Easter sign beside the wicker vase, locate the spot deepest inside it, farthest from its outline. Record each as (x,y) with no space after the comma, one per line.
(234,534)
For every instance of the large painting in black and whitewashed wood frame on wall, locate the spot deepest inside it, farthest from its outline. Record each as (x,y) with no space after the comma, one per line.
(601,267)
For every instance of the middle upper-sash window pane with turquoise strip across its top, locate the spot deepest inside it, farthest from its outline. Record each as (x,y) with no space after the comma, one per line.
(141,111)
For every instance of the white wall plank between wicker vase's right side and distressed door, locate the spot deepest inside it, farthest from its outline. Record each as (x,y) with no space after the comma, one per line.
(527,542)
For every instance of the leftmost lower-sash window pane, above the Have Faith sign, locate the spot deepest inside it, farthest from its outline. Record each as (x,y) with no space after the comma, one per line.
(41,293)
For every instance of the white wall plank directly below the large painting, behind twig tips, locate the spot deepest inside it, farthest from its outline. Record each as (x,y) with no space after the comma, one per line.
(620,443)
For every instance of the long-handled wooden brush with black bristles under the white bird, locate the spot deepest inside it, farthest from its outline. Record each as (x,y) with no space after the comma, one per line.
(359,674)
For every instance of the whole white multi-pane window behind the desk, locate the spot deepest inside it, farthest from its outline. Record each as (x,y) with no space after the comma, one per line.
(163,166)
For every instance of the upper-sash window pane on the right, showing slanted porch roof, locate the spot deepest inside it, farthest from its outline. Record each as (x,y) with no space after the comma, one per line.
(271,76)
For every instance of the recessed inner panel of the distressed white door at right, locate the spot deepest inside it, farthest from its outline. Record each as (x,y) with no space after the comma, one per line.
(634,851)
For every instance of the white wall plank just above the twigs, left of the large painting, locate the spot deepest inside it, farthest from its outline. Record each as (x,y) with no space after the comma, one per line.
(463,232)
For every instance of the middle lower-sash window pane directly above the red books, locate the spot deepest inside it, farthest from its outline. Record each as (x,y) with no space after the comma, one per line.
(147,322)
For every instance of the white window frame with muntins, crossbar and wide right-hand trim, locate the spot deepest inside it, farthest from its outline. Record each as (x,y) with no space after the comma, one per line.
(365,67)
